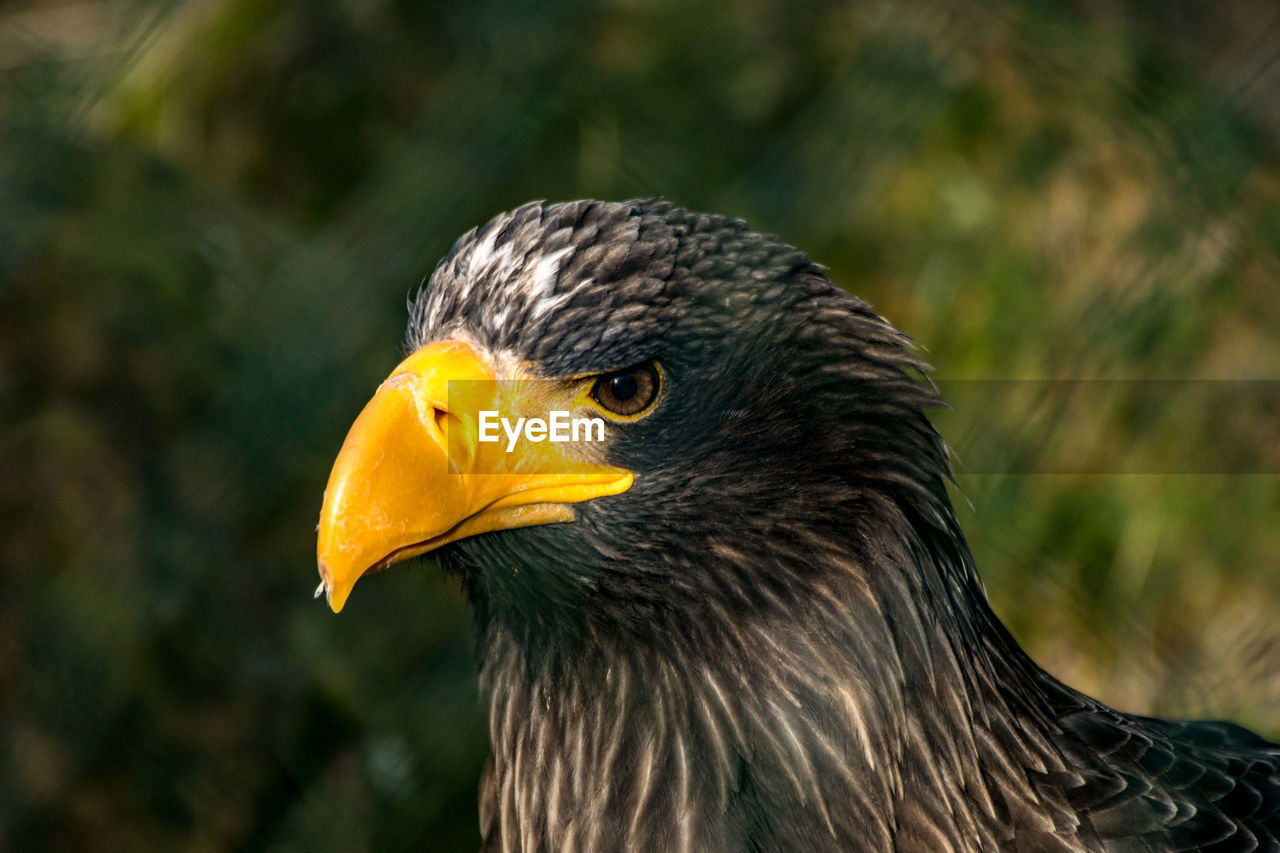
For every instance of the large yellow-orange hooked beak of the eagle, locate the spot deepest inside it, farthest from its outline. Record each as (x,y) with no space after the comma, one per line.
(414,475)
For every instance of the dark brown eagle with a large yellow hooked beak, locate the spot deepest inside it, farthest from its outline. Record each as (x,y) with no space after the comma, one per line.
(739,614)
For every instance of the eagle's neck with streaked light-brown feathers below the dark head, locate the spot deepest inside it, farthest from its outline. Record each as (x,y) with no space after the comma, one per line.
(874,714)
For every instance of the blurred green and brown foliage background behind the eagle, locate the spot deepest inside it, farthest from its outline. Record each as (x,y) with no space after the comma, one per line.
(212,215)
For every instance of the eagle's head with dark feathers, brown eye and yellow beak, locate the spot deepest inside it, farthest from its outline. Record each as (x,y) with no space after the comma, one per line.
(734,403)
